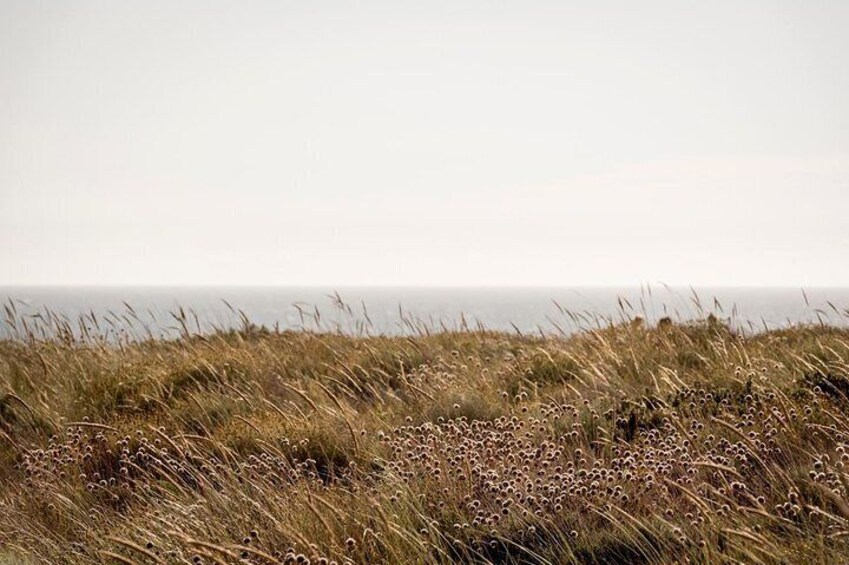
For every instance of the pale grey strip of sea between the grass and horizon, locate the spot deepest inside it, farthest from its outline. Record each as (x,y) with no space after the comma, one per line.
(137,312)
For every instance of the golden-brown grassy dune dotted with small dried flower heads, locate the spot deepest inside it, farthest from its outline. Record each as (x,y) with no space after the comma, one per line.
(628,444)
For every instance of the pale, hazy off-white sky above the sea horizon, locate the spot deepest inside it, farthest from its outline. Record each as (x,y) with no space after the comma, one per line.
(424,143)
